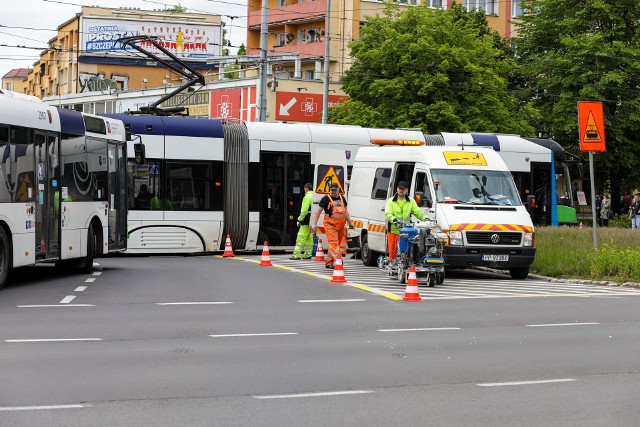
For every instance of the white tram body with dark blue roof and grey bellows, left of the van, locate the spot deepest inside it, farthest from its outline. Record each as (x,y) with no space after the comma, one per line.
(203,179)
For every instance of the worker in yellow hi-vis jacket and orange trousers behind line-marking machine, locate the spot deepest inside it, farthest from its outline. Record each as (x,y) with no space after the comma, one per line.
(399,208)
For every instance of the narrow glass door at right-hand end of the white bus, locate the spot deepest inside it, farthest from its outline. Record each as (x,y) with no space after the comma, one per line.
(117,196)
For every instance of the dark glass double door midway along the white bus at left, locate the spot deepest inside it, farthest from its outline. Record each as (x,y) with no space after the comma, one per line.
(48,197)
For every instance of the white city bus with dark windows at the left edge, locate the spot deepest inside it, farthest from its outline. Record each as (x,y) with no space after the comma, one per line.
(62,185)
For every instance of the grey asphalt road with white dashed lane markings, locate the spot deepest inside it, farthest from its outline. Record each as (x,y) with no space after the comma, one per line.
(204,341)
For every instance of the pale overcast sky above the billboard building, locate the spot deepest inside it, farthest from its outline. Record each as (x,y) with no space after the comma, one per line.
(31,23)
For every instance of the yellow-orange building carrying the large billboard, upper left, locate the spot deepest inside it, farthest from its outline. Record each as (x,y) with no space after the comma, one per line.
(84,55)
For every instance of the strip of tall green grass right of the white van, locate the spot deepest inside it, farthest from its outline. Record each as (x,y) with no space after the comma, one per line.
(568,252)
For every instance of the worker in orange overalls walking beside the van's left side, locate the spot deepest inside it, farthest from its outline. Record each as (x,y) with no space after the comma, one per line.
(336,217)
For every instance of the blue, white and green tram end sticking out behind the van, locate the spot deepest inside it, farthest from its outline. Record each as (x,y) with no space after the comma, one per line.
(534,164)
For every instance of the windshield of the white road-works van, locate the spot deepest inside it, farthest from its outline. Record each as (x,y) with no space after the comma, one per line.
(475,187)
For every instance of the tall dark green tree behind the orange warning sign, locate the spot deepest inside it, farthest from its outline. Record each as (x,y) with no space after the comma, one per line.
(575,50)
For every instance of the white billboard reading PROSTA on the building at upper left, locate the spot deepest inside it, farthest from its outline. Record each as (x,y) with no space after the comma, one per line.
(185,40)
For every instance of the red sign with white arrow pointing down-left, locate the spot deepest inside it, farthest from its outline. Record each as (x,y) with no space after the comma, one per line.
(302,107)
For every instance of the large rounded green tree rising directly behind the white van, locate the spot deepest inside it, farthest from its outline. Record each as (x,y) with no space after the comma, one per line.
(438,70)
